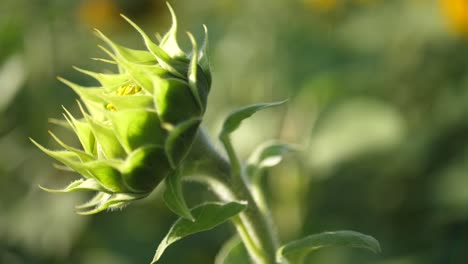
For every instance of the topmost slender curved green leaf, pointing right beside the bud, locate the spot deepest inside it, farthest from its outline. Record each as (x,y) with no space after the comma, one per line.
(234,119)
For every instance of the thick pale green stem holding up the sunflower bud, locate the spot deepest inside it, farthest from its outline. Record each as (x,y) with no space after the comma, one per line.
(228,182)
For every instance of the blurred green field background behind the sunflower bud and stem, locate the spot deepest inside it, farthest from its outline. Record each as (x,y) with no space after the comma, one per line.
(378,105)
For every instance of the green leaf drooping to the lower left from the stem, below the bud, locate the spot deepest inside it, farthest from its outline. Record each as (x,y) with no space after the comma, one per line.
(207,216)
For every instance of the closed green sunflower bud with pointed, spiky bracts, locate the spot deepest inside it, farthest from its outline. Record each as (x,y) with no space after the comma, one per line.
(139,124)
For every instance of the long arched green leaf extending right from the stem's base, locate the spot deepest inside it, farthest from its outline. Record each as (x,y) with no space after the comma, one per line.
(310,243)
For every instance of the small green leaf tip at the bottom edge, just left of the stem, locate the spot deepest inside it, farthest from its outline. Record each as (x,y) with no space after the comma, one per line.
(233,252)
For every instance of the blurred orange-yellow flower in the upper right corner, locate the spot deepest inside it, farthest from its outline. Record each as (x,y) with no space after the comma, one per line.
(456,12)
